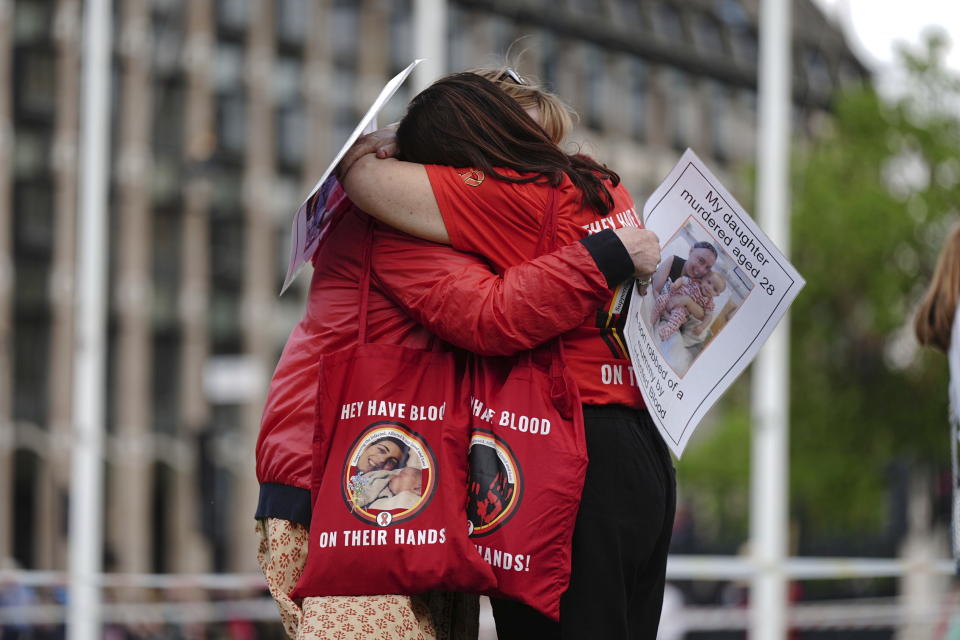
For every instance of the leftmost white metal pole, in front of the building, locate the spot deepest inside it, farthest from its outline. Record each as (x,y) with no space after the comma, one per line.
(86,499)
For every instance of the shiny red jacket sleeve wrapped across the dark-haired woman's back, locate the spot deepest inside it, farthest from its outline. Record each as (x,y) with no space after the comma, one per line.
(457,297)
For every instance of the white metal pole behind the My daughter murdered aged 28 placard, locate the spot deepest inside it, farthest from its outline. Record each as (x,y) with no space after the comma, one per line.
(769,453)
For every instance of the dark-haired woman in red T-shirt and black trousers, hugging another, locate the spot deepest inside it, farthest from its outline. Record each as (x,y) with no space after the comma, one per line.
(478,171)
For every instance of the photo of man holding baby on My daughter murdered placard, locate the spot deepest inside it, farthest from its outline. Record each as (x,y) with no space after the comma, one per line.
(704,289)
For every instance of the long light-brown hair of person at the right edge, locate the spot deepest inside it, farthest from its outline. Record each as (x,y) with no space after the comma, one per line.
(934,319)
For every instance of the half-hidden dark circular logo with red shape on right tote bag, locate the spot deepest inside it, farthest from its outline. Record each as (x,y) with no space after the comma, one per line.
(495,485)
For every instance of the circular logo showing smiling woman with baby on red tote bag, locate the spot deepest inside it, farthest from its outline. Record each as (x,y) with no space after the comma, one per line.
(389,475)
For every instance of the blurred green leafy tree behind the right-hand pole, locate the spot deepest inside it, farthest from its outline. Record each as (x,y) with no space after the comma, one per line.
(872,197)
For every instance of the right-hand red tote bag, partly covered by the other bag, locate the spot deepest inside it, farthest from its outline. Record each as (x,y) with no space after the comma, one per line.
(527,465)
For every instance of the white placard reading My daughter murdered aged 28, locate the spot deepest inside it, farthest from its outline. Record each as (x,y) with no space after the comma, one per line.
(683,365)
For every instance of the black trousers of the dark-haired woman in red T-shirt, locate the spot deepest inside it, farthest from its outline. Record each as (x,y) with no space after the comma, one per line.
(621,538)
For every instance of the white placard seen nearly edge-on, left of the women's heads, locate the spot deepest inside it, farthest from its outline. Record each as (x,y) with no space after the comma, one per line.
(310,223)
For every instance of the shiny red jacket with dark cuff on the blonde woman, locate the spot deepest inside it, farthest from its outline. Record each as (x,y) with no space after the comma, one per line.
(419,289)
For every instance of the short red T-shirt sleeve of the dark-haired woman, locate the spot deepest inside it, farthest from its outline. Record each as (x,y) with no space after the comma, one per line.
(497,219)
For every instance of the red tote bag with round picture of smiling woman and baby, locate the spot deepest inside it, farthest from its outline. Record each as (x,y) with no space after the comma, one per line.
(390,473)
